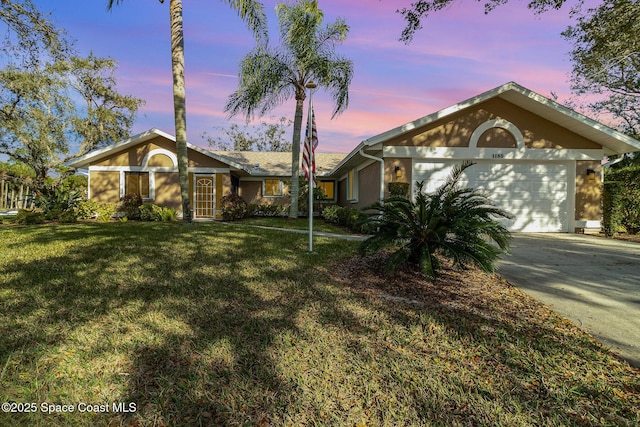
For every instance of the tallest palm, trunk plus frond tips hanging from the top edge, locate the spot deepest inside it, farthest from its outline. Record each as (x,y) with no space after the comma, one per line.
(252,13)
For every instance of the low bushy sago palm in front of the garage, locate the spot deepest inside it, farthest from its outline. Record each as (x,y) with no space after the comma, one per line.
(454,221)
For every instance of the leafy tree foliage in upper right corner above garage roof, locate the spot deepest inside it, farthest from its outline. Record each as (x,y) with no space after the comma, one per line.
(606,62)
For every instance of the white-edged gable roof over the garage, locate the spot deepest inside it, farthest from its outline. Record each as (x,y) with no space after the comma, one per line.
(611,140)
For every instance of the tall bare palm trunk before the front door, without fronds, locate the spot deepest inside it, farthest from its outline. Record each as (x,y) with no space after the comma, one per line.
(179,104)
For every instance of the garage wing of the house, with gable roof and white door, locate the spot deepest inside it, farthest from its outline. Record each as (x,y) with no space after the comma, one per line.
(534,158)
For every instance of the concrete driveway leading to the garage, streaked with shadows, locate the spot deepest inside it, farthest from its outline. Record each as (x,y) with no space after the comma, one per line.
(592,281)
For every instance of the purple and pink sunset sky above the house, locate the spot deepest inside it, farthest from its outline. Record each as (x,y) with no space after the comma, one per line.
(461,52)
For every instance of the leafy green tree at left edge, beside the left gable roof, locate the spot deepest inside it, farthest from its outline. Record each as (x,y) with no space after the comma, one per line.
(39,119)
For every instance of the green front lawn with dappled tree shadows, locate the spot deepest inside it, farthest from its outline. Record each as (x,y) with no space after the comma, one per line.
(220,324)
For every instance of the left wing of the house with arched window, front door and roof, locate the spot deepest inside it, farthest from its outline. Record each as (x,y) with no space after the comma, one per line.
(146,164)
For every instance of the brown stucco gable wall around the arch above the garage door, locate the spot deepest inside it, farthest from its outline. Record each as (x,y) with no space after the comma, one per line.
(456,130)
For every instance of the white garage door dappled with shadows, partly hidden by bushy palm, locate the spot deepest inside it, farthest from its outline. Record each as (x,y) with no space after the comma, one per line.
(535,193)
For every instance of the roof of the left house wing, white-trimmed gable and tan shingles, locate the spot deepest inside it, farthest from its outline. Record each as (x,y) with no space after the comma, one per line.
(269,163)
